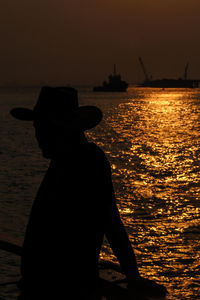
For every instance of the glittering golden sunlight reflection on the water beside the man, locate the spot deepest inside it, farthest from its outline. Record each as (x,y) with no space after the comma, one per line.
(156,173)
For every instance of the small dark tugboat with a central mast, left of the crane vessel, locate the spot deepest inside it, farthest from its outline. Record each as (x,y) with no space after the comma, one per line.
(114,84)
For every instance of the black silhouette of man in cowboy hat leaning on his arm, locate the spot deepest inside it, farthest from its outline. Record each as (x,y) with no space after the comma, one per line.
(74,207)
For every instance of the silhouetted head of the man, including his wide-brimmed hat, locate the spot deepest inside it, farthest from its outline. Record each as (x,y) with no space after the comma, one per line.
(58,120)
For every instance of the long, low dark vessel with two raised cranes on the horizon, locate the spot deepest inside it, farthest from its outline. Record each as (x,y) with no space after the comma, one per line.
(169,83)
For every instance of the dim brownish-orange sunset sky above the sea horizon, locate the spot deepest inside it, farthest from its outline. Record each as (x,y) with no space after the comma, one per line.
(78,41)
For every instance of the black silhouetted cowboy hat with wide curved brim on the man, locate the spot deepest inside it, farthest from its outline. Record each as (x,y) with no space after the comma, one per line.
(60,106)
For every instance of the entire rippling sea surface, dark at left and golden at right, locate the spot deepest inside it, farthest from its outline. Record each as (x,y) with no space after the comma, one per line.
(152,139)
